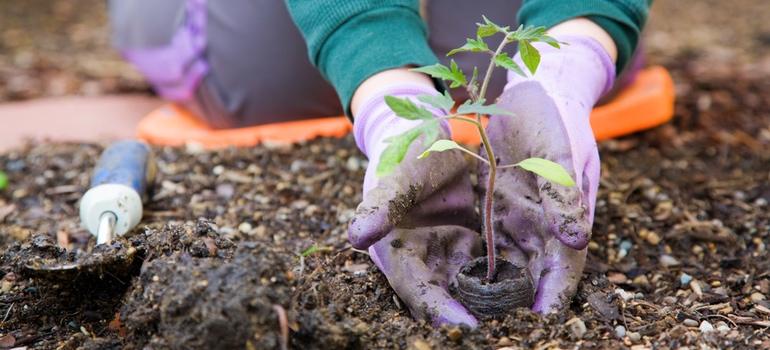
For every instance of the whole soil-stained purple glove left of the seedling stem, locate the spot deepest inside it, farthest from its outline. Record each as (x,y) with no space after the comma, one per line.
(413,221)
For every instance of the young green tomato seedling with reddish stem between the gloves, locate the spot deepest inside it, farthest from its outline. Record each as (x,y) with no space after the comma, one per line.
(472,111)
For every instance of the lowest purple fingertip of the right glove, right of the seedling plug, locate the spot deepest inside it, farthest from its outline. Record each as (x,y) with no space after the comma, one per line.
(556,274)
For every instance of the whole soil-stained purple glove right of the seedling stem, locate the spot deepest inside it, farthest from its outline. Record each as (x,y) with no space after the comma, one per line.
(538,224)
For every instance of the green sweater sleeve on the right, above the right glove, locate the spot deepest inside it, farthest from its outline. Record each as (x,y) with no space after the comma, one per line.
(623,20)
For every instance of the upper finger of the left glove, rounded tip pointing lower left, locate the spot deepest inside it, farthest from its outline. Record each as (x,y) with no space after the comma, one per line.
(396,195)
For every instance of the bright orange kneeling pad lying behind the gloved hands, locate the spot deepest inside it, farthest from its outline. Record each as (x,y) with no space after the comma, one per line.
(647,102)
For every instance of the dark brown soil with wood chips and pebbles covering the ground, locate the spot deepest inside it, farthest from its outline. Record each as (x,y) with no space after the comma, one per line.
(680,240)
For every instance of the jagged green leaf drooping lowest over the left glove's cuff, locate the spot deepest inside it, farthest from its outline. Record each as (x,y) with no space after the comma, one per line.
(398,145)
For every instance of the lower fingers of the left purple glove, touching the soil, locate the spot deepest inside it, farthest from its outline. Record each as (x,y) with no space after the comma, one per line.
(420,264)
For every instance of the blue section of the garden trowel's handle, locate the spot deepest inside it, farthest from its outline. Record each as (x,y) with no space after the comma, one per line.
(124,163)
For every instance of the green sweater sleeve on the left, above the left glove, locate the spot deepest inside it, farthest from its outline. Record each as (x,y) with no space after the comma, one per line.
(351,40)
